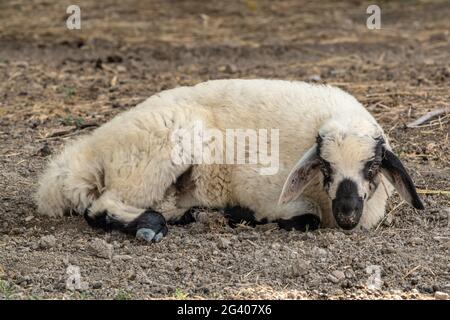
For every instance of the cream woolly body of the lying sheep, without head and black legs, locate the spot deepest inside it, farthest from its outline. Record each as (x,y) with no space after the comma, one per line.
(125,166)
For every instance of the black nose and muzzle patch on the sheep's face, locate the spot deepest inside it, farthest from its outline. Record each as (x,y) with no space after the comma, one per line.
(348,205)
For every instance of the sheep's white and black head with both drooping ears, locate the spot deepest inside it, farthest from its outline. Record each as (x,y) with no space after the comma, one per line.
(350,161)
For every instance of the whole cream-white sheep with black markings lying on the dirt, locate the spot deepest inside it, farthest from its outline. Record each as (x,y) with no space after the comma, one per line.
(124,175)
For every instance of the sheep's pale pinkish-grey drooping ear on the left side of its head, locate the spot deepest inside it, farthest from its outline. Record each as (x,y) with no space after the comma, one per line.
(300,177)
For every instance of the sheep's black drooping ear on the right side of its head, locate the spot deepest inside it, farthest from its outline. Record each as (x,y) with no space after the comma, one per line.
(395,172)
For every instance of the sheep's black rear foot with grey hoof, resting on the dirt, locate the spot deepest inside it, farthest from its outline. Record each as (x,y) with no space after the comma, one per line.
(151,226)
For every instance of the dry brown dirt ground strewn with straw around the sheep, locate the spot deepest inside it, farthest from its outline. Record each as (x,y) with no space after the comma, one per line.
(57,83)
